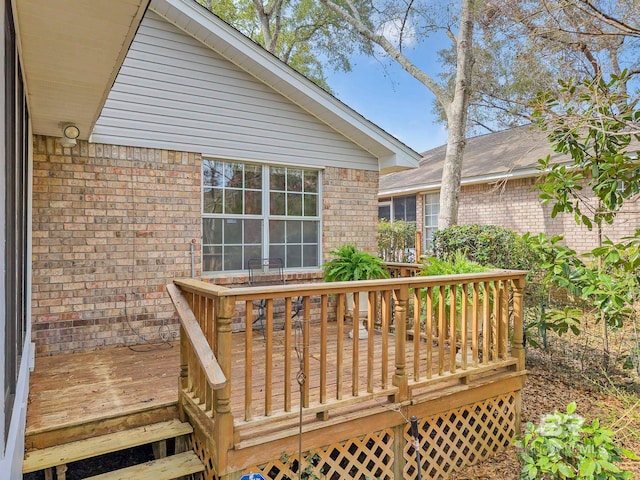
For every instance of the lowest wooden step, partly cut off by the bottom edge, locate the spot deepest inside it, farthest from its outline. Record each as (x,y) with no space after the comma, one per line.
(167,468)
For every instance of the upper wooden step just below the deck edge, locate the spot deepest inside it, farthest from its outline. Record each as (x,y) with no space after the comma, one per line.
(99,445)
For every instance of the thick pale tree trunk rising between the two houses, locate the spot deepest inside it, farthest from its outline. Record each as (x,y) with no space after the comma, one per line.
(457,121)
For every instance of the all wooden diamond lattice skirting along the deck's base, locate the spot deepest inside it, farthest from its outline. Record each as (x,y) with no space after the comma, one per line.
(448,442)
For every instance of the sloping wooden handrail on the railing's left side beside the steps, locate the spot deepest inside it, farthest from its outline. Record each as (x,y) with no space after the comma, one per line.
(208,362)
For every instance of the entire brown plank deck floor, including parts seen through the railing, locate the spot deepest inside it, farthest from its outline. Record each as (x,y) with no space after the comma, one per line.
(73,396)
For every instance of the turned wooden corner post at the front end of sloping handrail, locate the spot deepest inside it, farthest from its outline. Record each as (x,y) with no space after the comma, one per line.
(223,426)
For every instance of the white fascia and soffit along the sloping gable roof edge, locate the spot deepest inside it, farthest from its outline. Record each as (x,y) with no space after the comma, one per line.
(195,20)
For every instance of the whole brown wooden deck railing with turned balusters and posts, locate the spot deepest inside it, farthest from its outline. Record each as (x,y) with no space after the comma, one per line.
(421,331)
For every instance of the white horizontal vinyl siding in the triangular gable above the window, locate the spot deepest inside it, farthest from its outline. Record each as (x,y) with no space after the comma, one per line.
(173,92)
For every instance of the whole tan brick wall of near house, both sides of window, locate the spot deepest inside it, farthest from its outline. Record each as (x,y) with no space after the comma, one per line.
(113,225)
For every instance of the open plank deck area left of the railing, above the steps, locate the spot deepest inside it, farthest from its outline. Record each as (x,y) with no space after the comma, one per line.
(76,396)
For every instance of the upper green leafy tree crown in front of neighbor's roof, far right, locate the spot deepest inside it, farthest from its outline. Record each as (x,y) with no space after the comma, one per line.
(594,131)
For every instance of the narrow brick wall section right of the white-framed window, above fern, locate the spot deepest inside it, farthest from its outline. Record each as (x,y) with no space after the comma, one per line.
(350,209)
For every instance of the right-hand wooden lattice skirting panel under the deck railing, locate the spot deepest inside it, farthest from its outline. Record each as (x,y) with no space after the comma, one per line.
(461,437)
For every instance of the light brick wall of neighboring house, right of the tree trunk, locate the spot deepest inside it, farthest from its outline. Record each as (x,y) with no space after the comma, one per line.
(516,205)
